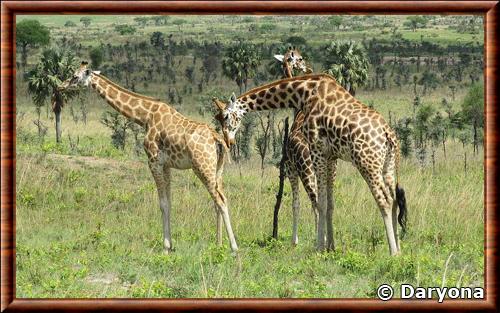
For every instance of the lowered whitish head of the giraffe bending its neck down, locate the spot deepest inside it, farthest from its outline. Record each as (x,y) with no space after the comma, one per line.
(230,116)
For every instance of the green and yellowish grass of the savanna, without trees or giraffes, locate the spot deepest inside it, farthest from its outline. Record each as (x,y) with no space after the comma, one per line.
(88,222)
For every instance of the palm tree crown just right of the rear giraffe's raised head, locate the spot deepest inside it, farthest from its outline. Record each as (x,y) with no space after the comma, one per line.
(347,62)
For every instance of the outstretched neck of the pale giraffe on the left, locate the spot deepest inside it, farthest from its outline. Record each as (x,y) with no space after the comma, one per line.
(133,106)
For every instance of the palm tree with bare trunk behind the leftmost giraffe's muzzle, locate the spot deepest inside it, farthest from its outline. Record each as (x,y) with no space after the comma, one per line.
(43,81)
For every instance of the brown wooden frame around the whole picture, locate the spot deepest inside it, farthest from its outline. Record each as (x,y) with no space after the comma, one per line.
(489,9)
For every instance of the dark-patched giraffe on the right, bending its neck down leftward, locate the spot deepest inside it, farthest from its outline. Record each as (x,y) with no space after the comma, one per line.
(336,126)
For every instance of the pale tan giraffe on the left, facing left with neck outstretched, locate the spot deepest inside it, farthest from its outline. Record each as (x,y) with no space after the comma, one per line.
(171,141)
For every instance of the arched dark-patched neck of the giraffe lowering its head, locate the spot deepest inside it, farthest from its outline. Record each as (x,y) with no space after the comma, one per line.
(285,93)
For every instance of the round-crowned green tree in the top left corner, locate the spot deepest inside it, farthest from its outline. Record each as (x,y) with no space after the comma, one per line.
(30,34)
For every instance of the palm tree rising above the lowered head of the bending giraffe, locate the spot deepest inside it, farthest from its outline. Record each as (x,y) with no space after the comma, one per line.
(240,63)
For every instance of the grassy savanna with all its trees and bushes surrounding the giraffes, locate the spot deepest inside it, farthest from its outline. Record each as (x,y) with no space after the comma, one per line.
(87,216)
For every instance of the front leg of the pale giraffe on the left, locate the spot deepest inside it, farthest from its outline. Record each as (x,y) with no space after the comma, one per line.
(161,176)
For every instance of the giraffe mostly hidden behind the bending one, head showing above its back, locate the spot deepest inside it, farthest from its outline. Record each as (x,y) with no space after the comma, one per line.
(298,162)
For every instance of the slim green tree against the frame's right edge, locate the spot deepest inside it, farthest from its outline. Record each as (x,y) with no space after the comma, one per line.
(473,111)
